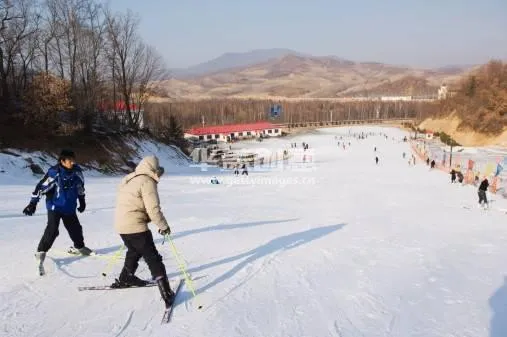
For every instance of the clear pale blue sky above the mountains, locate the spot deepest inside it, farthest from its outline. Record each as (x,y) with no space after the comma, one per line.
(425,33)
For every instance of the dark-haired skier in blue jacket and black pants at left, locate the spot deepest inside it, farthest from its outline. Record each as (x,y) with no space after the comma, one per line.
(63,186)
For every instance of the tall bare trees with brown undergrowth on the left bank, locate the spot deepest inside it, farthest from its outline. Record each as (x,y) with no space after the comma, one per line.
(62,62)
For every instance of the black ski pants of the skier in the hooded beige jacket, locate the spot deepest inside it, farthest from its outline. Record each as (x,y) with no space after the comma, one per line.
(142,245)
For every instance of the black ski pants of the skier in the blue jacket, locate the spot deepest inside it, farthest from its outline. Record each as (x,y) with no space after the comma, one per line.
(71,223)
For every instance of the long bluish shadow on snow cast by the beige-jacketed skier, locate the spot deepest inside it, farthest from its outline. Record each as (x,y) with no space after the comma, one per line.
(279,245)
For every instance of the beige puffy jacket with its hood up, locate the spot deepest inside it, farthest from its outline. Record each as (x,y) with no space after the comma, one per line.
(138,202)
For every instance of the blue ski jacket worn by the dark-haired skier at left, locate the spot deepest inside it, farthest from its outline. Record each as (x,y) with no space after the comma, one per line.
(62,188)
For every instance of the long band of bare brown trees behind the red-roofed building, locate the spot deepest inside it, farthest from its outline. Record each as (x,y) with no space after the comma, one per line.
(227,111)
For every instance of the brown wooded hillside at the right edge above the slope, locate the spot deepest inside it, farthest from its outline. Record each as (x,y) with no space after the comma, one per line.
(481,100)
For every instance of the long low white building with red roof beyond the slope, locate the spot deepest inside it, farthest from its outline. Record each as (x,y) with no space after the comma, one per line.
(234,131)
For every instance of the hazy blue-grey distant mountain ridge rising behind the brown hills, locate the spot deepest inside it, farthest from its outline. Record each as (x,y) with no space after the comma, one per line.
(232,60)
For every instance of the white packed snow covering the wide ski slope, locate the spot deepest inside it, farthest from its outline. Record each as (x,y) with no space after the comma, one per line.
(334,245)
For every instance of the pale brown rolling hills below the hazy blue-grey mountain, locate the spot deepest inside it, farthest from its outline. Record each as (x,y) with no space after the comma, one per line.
(306,76)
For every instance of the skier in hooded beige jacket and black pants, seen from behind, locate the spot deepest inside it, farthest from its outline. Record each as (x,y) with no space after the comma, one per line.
(138,204)
